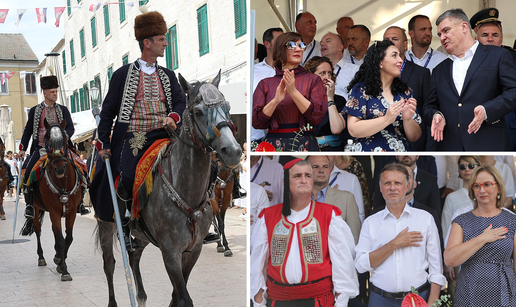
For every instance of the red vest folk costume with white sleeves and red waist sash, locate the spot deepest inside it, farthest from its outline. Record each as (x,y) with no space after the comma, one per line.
(308,256)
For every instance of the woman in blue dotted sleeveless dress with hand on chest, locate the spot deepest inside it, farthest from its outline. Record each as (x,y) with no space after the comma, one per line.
(482,242)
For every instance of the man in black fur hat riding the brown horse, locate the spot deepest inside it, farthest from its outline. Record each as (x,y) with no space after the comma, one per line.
(54,113)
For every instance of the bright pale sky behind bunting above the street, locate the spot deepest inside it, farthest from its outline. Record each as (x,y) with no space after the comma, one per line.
(41,37)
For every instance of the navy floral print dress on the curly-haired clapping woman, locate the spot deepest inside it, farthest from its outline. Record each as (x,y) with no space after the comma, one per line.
(363,106)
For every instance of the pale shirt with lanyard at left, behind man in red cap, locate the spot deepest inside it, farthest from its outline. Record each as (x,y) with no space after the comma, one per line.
(271,172)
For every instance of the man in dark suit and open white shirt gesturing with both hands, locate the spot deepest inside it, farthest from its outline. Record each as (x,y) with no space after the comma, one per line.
(471,91)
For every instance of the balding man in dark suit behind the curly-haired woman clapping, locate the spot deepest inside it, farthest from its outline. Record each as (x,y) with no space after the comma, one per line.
(417,78)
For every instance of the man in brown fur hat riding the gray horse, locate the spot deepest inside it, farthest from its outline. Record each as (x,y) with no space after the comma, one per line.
(143,97)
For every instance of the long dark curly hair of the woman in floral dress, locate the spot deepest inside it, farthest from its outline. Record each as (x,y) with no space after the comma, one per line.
(369,72)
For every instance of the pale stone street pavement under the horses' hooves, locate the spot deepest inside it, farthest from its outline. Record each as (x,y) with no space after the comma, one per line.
(215,280)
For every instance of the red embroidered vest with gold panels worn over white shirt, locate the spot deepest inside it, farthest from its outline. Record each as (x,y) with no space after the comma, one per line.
(312,236)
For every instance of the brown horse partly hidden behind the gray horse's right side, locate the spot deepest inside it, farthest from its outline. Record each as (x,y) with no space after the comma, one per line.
(223,196)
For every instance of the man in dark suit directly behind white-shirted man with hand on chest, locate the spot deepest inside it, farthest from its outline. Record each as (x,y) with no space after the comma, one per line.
(426,193)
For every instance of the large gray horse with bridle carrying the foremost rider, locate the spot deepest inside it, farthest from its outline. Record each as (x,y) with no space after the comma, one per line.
(179,201)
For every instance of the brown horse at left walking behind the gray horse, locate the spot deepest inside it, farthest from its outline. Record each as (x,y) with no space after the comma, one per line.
(59,193)
